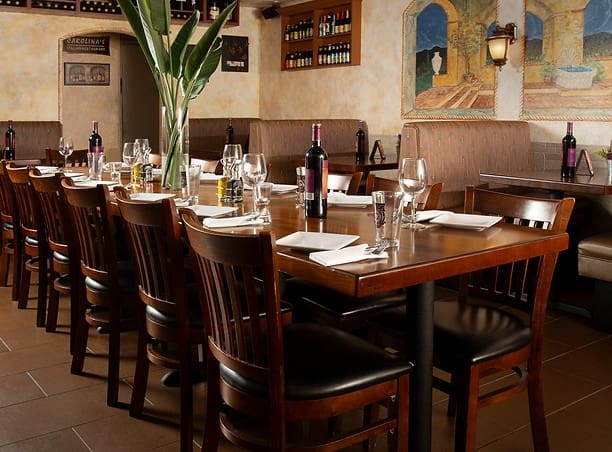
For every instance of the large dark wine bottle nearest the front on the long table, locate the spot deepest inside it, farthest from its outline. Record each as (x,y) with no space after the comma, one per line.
(315,194)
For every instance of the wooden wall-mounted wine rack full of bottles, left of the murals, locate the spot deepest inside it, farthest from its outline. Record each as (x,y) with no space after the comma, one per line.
(320,34)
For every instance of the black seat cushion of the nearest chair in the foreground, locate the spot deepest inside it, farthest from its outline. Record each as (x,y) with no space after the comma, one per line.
(322,361)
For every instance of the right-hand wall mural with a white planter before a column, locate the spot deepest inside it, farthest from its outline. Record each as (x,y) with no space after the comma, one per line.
(568,60)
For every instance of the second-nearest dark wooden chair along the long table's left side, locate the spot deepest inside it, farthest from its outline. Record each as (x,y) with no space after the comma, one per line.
(170,326)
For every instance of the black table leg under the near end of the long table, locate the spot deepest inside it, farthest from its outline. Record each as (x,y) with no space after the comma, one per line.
(421,297)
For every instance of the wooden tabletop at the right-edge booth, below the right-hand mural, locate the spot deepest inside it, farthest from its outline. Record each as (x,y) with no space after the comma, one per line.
(599,184)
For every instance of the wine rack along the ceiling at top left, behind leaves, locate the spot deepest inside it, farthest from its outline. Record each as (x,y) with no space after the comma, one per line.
(179,9)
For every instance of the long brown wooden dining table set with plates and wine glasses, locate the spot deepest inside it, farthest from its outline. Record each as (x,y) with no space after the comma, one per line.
(422,257)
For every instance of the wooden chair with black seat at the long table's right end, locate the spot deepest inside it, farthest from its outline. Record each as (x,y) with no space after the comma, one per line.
(495,325)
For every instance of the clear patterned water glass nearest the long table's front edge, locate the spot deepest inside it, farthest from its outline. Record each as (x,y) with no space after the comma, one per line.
(387,216)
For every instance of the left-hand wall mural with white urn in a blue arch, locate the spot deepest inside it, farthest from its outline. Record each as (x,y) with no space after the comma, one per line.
(447,72)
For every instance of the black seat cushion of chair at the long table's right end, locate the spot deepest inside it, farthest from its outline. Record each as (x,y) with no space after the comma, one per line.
(471,333)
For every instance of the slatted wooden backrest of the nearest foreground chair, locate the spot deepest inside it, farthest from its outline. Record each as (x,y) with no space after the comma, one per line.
(238,284)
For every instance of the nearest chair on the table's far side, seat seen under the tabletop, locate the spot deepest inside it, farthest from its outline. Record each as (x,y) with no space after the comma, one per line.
(330,307)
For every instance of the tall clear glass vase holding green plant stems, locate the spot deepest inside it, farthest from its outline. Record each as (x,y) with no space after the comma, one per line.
(175,149)
